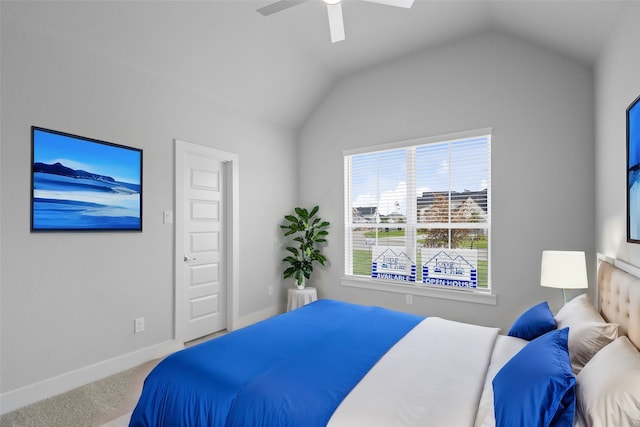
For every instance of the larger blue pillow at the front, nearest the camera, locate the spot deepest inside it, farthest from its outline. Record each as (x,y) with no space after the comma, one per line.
(537,386)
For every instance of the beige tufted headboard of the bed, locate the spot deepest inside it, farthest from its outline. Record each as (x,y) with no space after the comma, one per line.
(619,300)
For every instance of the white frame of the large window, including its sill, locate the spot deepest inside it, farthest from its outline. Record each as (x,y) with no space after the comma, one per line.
(477,295)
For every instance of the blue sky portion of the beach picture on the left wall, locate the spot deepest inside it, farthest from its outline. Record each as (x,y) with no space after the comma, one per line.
(120,163)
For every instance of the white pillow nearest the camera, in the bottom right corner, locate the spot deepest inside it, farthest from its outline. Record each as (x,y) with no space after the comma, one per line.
(608,388)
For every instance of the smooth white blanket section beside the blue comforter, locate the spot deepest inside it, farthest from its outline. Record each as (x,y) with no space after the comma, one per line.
(434,376)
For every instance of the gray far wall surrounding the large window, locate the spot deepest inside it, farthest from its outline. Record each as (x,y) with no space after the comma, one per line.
(540,106)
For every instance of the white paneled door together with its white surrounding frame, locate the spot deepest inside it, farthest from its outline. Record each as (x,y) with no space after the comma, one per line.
(206,240)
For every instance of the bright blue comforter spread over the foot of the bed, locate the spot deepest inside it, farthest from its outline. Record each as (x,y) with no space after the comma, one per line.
(290,370)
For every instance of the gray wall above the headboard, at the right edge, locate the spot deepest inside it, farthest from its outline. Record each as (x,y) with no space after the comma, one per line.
(617,85)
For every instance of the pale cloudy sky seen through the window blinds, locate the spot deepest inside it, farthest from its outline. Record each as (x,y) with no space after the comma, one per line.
(381,179)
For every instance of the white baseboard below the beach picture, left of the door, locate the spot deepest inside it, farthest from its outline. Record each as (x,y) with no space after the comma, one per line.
(15,399)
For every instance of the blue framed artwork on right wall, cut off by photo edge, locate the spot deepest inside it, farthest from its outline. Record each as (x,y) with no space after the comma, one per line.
(633,172)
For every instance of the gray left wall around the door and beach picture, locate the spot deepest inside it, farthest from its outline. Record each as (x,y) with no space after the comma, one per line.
(69,299)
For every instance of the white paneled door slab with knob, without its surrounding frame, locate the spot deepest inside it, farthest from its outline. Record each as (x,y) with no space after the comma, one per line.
(204,275)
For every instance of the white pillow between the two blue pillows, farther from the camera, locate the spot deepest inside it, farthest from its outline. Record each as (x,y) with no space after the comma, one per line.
(588,331)
